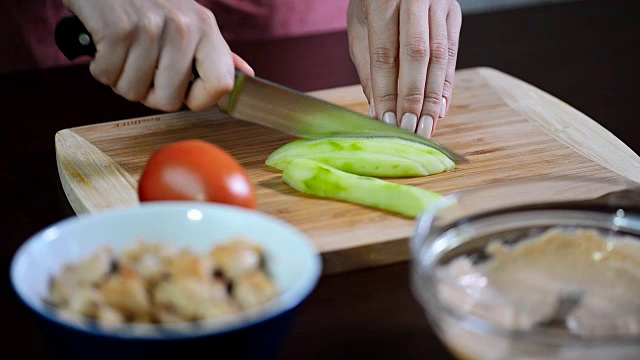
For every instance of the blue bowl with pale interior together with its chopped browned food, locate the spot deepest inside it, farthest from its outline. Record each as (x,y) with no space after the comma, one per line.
(164,278)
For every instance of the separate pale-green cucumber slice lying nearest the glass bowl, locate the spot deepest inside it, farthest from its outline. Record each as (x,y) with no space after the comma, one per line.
(314,178)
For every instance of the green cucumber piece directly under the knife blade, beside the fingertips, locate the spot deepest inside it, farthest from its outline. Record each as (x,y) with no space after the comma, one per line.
(368,156)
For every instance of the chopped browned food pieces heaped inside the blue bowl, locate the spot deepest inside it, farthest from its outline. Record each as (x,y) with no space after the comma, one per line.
(157,283)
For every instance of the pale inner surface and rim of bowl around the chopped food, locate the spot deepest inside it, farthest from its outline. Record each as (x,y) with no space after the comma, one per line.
(291,259)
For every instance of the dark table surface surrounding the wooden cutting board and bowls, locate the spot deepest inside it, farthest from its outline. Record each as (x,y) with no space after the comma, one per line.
(583,52)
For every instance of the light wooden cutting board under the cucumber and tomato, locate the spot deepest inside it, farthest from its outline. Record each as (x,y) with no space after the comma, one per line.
(507,128)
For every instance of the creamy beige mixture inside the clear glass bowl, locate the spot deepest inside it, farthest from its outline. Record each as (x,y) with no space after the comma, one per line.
(585,281)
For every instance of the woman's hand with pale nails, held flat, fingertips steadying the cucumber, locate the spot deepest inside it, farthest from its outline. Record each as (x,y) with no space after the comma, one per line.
(405,53)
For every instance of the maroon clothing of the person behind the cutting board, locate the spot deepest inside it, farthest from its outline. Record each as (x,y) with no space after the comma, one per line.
(26,40)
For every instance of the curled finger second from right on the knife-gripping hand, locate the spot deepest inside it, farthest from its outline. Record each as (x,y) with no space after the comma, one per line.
(174,70)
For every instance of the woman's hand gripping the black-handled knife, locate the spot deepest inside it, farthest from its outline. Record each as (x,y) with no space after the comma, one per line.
(146,48)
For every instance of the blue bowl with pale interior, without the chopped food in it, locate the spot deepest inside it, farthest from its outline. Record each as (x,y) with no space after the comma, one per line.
(291,260)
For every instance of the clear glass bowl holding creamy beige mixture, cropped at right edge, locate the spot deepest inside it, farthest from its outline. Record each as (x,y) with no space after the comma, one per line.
(533,269)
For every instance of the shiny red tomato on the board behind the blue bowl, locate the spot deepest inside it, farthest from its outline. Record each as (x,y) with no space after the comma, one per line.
(195,170)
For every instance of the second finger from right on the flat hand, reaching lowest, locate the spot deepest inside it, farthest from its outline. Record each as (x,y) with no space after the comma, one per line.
(436,70)
